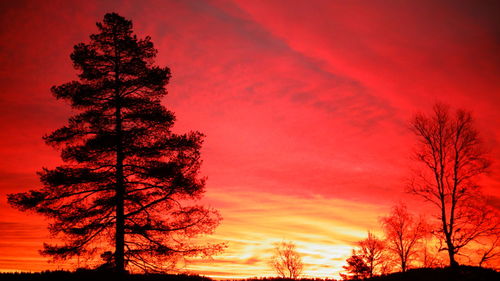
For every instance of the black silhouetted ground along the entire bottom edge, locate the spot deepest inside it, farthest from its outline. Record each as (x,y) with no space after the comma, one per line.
(463,273)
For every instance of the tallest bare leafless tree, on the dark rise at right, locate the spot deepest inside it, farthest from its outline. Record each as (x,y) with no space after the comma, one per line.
(451,158)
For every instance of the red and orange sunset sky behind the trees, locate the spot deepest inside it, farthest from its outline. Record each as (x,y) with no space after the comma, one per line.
(305,105)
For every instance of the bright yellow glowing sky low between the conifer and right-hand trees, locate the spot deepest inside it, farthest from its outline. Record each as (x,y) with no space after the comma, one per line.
(324,231)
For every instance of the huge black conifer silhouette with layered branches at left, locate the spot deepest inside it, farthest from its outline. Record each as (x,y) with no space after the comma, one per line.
(126,177)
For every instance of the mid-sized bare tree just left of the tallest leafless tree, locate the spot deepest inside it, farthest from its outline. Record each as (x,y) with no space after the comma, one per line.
(403,232)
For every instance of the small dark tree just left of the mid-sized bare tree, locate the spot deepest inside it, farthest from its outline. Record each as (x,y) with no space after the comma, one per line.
(372,250)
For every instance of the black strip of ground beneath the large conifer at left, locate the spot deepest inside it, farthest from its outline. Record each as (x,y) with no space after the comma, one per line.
(96,276)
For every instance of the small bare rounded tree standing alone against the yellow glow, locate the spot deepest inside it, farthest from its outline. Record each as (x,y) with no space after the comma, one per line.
(286,261)
